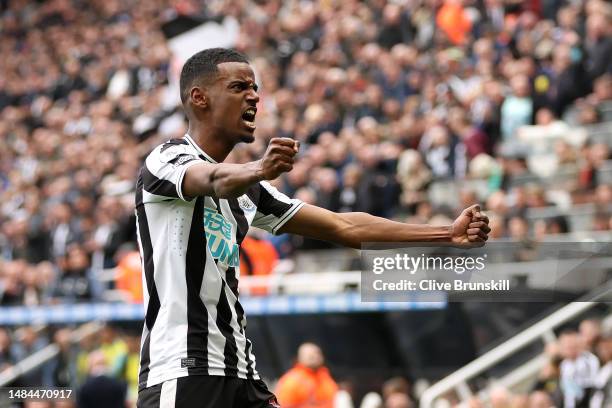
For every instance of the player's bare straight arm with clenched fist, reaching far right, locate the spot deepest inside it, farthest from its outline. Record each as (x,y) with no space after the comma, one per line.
(352,229)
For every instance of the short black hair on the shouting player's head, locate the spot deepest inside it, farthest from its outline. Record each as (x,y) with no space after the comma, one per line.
(203,65)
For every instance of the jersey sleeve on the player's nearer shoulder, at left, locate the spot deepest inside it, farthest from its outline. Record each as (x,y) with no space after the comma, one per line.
(165,167)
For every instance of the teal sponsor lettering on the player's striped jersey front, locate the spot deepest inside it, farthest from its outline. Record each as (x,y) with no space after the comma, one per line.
(219,238)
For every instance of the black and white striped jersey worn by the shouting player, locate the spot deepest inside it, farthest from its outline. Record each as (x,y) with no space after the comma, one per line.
(194,323)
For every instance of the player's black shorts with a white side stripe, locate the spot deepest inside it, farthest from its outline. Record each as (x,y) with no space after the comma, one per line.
(203,391)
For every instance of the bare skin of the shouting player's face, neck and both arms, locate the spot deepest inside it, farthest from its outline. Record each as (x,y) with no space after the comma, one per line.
(215,111)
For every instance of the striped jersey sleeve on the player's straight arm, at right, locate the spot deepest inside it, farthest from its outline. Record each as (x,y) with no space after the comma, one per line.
(274,208)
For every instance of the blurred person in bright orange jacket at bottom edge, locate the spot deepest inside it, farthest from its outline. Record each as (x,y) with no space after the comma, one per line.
(308,384)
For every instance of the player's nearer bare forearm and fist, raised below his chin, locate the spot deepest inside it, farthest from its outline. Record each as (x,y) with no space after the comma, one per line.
(225,180)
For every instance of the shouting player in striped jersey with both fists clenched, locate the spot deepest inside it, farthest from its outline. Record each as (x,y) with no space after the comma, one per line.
(193,211)
